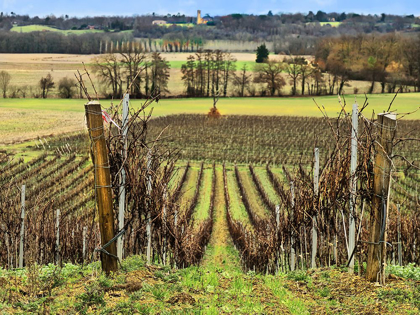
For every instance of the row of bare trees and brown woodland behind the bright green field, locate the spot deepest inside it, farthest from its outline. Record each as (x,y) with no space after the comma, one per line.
(391,60)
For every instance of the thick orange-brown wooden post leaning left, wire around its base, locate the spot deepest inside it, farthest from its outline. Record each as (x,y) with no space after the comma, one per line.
(102,184)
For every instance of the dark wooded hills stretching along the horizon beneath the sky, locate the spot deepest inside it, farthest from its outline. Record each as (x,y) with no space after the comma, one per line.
(288,33)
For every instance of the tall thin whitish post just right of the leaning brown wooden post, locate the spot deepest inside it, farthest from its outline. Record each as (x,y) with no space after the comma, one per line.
(121,204)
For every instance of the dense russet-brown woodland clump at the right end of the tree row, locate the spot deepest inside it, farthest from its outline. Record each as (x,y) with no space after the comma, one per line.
(391,60)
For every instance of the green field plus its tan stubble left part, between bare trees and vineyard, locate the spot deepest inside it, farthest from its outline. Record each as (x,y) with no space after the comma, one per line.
(25,119)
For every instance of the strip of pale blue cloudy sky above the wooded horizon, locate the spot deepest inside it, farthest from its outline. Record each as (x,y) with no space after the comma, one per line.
(213,7)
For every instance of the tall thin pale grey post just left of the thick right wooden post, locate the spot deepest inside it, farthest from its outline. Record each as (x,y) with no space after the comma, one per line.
(353,187)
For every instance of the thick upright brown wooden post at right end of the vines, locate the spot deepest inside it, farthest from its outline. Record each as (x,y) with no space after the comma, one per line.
(387,123)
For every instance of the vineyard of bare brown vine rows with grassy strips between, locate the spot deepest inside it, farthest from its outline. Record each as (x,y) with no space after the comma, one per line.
(254,173)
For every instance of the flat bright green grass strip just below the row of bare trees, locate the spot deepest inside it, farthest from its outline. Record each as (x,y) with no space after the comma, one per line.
(280,106)
